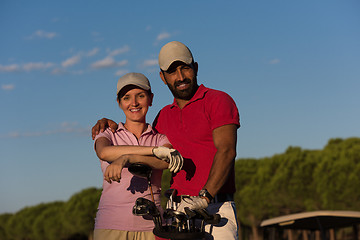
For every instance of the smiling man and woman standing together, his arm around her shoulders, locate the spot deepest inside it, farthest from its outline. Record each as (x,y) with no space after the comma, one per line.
(201,124)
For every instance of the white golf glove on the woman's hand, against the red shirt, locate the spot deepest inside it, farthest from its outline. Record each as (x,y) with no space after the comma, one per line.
(171,156)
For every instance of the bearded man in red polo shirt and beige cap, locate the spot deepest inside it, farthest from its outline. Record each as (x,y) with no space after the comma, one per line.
(201,124)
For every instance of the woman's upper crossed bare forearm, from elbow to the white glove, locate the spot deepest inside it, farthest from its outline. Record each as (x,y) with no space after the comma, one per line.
(107,152)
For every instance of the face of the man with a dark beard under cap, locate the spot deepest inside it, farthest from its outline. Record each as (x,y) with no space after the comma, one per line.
(181,80)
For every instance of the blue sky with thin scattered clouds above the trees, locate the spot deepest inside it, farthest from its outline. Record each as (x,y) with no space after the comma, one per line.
(292,67)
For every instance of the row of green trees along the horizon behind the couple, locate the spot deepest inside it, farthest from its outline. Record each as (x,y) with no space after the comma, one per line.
(295,181)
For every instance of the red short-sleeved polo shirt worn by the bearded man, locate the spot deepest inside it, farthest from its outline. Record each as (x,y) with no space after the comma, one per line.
(190,132)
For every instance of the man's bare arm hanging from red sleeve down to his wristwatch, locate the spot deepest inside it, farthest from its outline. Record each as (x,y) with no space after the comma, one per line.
(225,142)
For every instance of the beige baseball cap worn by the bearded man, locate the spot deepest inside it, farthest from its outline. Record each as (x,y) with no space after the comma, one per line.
(172,52)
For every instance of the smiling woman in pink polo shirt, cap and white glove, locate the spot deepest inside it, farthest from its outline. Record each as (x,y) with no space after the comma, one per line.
(133,142)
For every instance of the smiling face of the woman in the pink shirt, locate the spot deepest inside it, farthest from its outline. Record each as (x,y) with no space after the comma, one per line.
(135,104)
